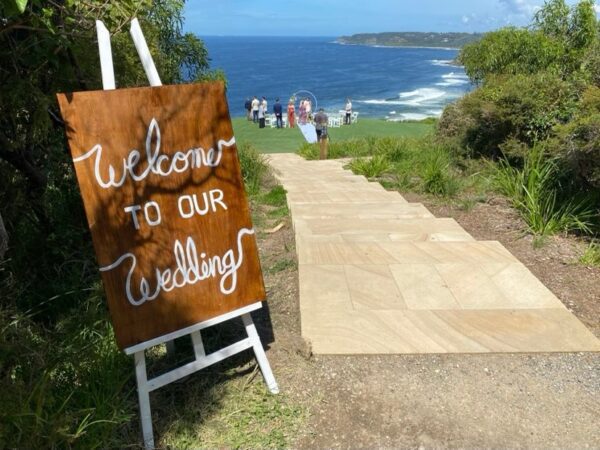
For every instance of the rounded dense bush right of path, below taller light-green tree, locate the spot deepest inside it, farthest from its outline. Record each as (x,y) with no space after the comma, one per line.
(509,114)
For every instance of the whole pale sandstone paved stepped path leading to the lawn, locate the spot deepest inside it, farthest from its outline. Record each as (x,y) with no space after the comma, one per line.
(380,275)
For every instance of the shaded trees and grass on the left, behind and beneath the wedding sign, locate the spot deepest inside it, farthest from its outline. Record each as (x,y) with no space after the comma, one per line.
(63,380)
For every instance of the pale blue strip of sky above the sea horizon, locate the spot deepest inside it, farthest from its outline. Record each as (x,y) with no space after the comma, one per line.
(346,17)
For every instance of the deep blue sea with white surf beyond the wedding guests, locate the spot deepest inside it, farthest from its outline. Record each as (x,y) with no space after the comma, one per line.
(383,82)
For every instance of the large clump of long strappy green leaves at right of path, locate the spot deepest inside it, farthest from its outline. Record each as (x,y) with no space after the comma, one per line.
(539,194)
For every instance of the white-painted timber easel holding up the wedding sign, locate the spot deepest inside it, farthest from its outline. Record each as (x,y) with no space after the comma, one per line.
(145,385)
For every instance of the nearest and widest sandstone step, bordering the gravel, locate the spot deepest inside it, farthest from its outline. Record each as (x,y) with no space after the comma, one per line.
(449,331)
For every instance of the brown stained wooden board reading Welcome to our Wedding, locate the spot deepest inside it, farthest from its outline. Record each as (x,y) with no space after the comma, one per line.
(164,197)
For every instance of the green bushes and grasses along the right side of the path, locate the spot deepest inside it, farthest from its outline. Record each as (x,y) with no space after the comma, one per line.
(530,130)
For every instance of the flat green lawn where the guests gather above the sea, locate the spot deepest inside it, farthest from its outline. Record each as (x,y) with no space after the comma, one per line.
(273,140)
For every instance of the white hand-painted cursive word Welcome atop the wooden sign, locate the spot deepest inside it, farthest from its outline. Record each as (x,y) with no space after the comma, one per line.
(159,164)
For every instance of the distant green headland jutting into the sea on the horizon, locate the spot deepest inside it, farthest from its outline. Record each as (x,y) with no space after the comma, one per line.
(448,40)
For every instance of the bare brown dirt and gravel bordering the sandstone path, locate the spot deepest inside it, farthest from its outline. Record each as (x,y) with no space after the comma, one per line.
(444,401)
